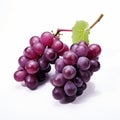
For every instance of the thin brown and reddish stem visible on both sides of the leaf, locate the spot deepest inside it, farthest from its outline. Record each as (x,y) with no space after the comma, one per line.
(70,30)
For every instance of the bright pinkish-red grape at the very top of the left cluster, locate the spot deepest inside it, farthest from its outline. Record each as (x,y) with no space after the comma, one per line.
(46,39)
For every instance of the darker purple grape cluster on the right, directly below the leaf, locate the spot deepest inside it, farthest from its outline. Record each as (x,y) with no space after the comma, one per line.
(74,70)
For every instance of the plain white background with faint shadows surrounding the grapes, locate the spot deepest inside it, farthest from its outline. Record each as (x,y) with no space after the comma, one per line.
(21,19)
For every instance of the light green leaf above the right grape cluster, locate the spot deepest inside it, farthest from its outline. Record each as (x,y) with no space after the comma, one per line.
(80,32)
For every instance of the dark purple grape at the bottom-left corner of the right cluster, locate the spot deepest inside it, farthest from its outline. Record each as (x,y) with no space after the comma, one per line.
(58,93)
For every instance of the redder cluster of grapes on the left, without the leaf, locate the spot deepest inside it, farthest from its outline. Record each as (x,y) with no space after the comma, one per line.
(35,62)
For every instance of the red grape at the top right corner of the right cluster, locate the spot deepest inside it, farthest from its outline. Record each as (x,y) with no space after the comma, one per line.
(94,51)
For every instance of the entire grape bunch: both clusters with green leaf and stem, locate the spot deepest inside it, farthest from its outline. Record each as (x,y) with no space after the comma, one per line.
(73,67)
